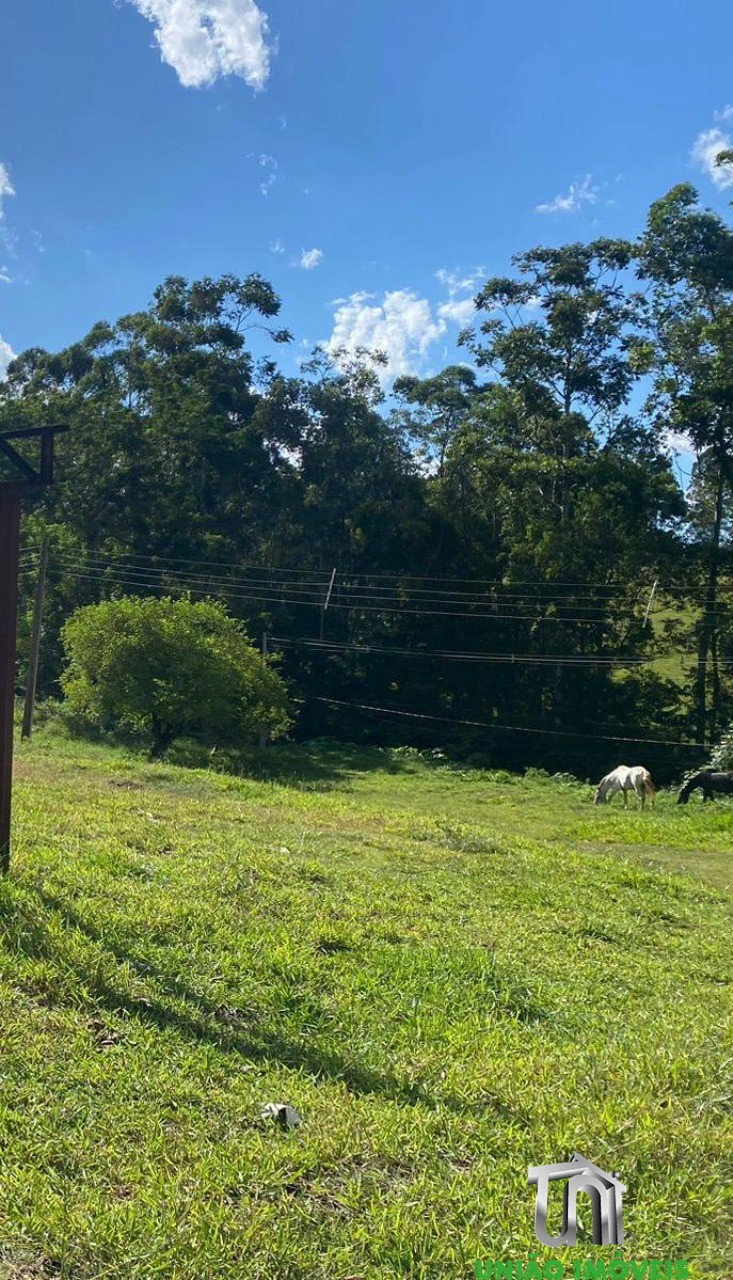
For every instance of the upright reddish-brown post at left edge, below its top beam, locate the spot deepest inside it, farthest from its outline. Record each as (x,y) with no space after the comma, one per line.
(10,554)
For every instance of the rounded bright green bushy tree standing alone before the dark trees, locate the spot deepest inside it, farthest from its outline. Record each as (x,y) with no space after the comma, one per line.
(167,669)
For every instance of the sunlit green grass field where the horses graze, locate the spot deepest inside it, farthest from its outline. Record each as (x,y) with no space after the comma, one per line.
(452,976)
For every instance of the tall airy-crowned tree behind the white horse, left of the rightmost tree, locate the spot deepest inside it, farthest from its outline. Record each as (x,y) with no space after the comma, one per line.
(572,488)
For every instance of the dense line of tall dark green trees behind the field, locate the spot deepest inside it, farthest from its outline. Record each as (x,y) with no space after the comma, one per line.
(516,508)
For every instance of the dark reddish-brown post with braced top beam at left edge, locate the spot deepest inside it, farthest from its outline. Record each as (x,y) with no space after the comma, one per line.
(34,478)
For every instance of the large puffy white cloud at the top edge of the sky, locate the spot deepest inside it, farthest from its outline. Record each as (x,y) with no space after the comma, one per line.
(204,40)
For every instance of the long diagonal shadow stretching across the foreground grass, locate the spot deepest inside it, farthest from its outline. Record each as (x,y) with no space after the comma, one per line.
(28,930)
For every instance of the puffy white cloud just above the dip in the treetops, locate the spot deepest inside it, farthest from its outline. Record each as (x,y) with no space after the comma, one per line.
(402,326)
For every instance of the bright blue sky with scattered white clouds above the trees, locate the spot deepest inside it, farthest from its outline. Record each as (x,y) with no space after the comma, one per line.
(375,161)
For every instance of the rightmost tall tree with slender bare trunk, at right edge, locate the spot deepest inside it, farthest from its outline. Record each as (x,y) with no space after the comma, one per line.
(688,257)
